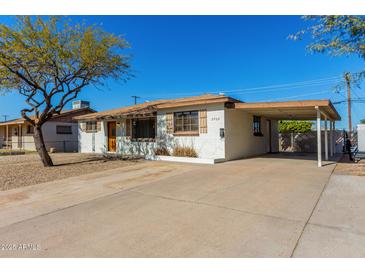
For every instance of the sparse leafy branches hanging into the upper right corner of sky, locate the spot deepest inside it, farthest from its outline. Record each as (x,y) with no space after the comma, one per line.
(336,35)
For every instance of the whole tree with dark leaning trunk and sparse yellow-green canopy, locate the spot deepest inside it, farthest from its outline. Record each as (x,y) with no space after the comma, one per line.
(50,60)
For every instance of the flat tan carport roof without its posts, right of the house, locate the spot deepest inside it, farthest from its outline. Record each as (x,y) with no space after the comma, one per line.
(291,110)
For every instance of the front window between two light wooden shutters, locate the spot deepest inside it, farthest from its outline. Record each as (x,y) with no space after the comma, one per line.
(186,121)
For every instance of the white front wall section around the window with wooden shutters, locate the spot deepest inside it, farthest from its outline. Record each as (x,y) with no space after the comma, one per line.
(208,145)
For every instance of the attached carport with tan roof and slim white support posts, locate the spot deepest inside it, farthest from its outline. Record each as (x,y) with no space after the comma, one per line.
(318,110)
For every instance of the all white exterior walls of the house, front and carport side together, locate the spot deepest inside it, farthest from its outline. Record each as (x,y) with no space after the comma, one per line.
(238,142)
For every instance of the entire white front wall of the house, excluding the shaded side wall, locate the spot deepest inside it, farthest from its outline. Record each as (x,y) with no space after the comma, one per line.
(208,145)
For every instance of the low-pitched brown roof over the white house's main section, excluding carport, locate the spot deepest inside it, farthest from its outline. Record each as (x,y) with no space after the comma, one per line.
(150,107)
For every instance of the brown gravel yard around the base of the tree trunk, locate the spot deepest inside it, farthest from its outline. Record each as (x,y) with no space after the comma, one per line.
(24,170)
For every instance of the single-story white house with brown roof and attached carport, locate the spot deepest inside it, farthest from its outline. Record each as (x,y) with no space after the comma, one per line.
(216,127)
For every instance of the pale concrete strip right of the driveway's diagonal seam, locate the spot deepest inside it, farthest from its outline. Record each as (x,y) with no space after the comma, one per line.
(337,226)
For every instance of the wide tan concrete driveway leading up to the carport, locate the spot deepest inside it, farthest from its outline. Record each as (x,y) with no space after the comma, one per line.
(247,208)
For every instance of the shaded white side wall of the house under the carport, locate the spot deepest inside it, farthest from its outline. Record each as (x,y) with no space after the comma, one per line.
(240,141)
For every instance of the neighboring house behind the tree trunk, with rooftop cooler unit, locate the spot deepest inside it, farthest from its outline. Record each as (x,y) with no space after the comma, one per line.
(60,133)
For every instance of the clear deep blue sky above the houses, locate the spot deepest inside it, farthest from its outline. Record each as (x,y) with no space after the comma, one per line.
(179,56)
